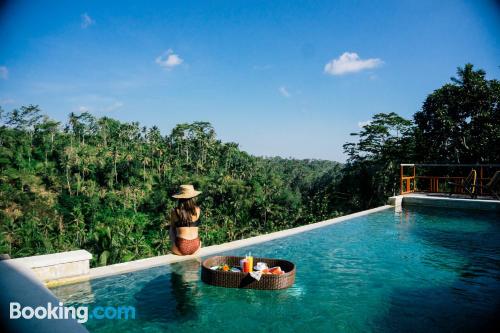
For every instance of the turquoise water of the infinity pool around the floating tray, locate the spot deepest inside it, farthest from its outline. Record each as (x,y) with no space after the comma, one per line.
(419,270)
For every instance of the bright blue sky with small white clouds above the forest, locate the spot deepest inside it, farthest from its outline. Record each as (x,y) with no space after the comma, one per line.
(278,77)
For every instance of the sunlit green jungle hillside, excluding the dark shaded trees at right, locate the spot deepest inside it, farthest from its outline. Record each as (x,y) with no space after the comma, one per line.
(106,186)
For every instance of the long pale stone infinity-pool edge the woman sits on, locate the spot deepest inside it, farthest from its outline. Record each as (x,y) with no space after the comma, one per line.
(141,264)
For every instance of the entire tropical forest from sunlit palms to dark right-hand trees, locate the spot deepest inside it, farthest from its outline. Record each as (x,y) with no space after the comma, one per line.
(105,185)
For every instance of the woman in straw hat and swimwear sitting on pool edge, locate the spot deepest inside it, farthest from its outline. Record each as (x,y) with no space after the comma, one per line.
(184,221)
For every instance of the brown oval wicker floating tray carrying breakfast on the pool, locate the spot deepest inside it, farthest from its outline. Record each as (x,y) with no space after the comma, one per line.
(244,280)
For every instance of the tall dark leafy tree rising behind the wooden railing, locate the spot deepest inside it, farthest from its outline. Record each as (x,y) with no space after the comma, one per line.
(459,122)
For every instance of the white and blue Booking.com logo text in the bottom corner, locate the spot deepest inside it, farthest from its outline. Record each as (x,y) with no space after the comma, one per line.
(80,313)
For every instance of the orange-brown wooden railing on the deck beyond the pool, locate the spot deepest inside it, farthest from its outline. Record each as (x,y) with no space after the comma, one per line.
(441,184)
